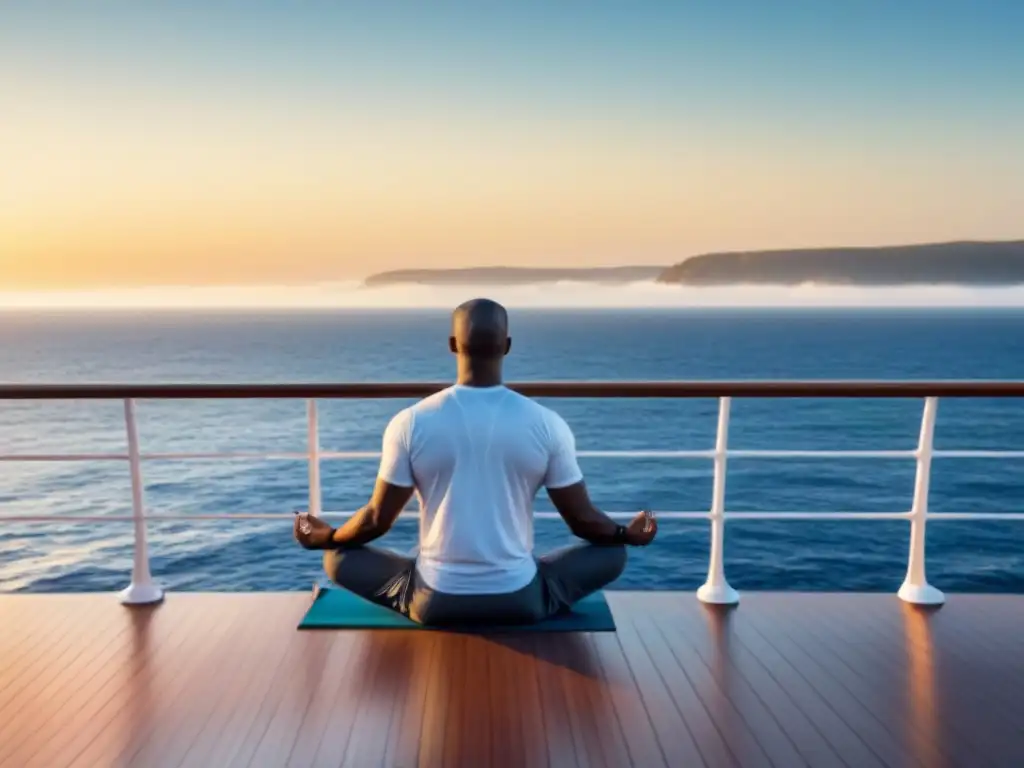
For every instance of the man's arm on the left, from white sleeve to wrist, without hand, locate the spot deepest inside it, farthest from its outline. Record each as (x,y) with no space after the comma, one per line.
(392,493)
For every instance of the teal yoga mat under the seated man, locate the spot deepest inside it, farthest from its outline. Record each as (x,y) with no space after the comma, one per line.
(340,610)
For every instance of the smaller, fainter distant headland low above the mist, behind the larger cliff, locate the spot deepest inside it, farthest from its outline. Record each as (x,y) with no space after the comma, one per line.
(510,276)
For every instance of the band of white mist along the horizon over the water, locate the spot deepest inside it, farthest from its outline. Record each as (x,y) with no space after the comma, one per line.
(355,295)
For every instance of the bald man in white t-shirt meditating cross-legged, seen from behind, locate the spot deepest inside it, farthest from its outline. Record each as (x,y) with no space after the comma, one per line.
(477,454)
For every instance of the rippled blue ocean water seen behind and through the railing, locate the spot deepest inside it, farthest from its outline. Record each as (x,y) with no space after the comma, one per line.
(618,344)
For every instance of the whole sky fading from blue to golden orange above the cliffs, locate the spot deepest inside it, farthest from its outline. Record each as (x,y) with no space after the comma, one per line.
(290,144)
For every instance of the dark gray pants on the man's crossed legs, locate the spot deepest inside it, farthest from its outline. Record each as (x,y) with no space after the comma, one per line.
(563,578)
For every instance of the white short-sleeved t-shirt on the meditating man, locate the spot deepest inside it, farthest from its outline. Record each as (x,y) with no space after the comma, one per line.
(478,457)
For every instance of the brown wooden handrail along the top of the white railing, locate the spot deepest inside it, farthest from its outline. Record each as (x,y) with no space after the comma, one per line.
(590,390)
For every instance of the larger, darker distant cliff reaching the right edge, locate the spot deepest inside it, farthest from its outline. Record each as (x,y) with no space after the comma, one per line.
(961,264)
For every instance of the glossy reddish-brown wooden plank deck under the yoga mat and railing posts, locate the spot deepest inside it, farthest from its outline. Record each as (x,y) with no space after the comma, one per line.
(785,680)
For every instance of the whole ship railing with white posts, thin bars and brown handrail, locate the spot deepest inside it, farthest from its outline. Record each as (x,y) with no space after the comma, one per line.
(916,589)
